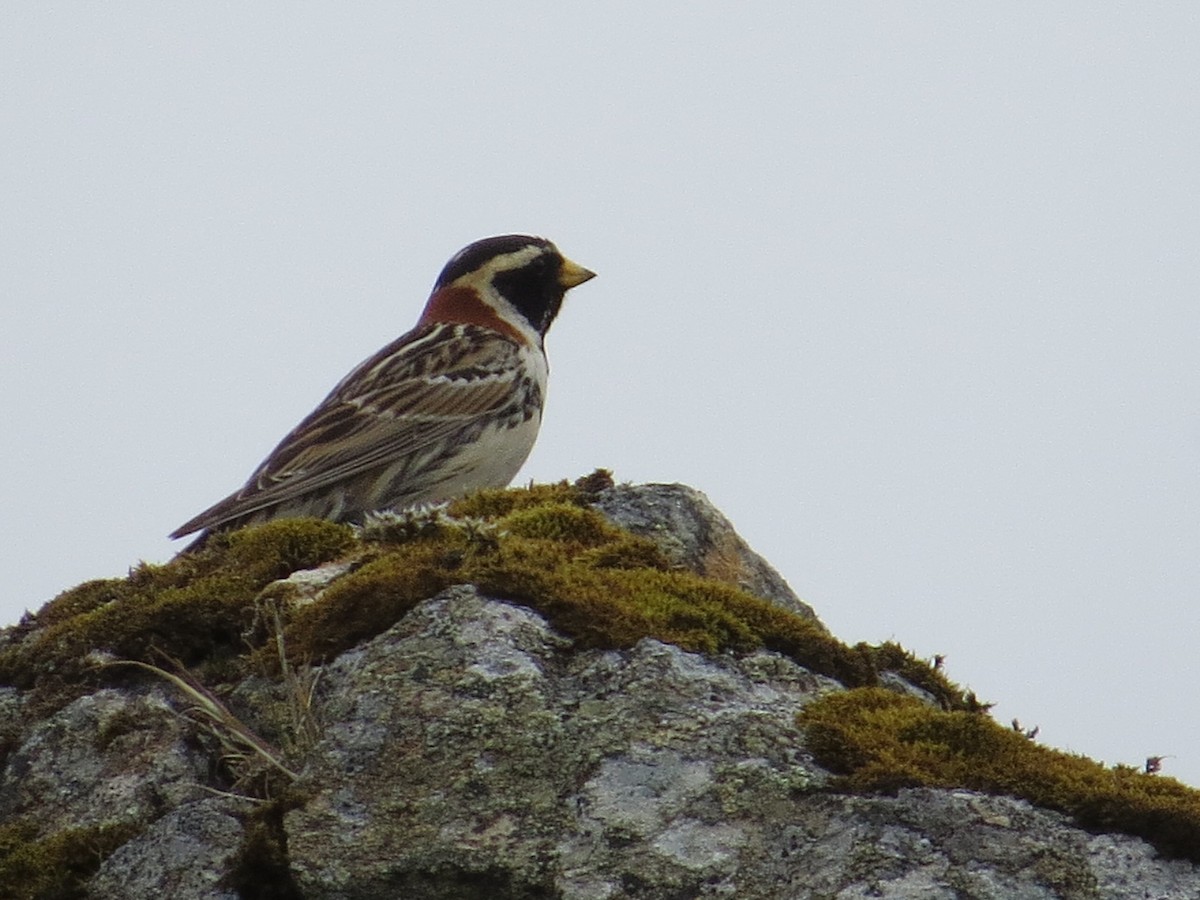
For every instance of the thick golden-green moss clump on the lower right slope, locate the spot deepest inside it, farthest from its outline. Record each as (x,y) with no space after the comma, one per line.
(879,742)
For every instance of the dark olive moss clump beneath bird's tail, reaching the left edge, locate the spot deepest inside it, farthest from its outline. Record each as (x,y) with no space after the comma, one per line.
(194,609)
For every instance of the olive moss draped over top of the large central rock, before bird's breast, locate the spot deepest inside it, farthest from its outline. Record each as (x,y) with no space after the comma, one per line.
(593,581)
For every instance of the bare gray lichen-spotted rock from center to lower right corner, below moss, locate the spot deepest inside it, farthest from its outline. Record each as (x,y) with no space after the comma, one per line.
(473,752)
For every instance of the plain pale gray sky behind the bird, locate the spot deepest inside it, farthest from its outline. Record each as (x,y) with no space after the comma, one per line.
(909,290)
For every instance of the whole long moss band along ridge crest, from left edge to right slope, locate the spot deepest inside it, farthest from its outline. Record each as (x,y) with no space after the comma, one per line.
(542,547)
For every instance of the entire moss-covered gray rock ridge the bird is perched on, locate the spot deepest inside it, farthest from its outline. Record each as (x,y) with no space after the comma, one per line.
(572,691)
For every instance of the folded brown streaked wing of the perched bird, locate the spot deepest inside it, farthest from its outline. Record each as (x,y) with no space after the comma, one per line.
(422,389)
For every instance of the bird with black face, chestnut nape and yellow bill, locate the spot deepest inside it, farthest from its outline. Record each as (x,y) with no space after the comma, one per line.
(448,409)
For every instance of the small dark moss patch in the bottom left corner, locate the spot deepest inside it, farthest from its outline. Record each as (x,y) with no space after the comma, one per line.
(56,867)
